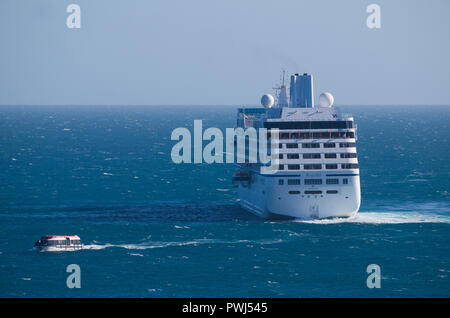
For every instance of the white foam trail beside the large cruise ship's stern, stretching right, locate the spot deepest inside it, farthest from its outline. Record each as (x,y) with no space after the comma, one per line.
(386,218)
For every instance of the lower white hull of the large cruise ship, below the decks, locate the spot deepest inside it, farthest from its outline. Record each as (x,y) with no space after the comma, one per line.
(266,198)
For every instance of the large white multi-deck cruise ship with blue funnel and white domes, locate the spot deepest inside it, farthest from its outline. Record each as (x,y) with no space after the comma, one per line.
(317,175)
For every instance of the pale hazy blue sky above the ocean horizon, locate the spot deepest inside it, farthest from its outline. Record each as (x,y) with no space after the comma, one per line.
(222,52)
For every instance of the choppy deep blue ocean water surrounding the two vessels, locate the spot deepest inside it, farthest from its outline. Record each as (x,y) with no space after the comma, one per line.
(153,228)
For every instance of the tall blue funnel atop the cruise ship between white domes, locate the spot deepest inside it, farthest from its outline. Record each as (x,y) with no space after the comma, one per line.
(301,91)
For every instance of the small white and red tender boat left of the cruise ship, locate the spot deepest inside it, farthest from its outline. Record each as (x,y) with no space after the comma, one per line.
(58,243)
